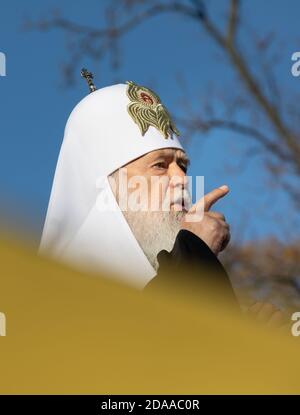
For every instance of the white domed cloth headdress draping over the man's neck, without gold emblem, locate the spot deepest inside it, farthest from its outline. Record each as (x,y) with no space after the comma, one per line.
(100,137)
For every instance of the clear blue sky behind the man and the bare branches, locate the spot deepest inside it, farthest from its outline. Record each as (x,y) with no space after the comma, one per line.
(34,105)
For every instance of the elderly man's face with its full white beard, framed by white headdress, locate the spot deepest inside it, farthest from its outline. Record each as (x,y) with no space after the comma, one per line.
(152,193)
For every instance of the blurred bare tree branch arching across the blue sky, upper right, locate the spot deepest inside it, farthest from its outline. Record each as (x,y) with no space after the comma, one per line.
(95,42)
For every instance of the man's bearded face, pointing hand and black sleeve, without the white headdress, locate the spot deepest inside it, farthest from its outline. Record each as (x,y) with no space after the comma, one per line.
(168,235)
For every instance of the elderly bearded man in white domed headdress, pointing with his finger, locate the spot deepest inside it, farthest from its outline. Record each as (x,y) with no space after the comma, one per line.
(116,137)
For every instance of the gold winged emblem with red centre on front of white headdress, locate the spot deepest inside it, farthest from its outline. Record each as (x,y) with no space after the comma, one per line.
(146,109)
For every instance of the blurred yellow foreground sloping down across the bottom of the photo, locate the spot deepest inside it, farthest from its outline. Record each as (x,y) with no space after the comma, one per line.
(70,333)
